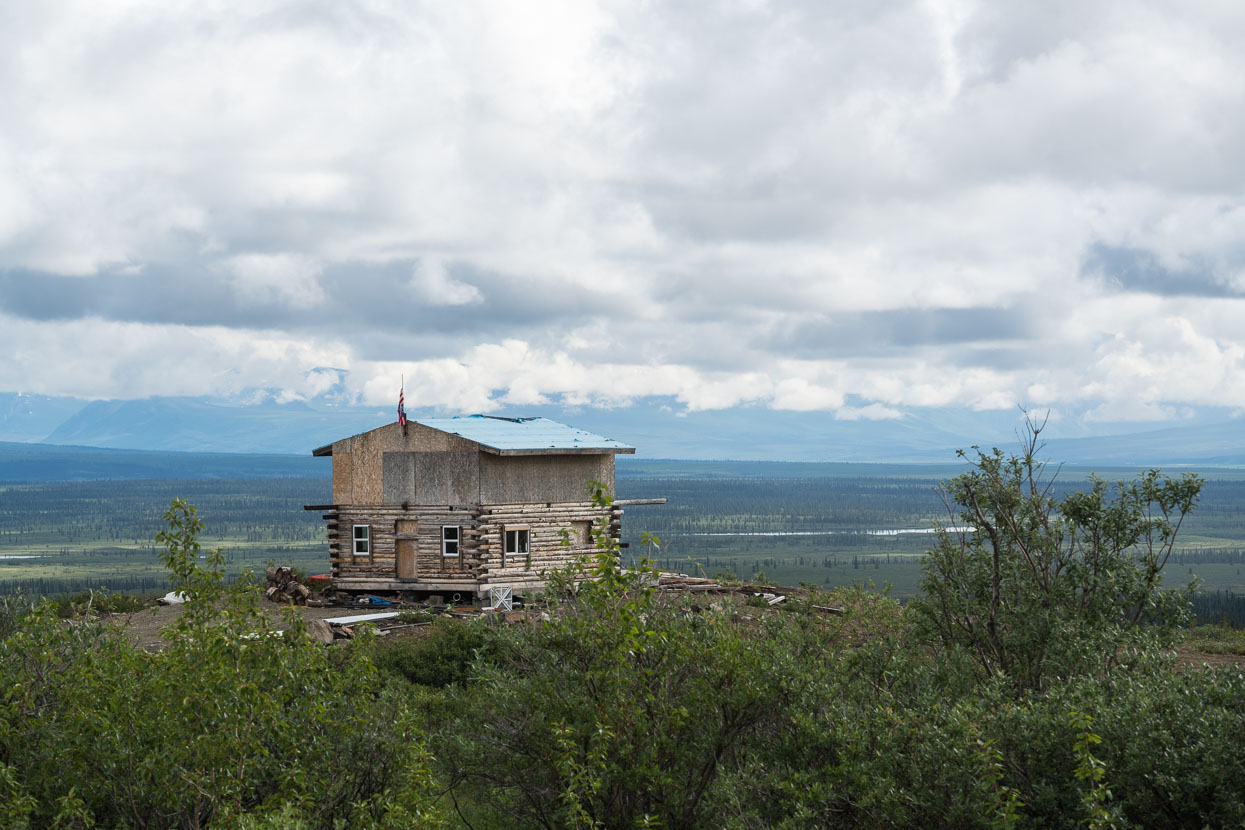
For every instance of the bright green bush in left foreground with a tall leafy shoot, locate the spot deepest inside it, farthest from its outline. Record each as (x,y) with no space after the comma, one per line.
(232,719)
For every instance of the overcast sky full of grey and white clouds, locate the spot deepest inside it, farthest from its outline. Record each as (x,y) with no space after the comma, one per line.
(853,207)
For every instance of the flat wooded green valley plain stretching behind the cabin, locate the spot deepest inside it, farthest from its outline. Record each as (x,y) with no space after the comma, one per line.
(82,536)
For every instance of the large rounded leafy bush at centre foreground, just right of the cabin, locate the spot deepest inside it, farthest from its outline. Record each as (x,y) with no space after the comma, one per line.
(623,709)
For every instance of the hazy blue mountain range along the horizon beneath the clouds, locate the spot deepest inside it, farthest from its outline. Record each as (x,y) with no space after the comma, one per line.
(657,427)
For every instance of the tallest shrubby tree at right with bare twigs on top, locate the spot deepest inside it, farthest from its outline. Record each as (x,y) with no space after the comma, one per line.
(1033,585)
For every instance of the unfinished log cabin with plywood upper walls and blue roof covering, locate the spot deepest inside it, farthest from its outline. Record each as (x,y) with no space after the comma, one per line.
(465,505)
